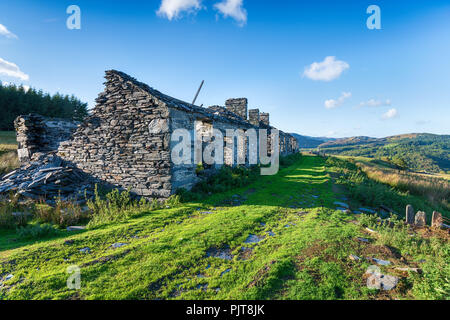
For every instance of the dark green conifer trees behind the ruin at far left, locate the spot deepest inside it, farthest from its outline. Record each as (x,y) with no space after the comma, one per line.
(15,101)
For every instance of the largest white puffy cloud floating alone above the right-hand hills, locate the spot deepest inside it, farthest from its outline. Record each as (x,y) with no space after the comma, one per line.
(327,70)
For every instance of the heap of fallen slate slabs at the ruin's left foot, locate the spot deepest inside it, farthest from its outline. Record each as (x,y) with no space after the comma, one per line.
(49,178)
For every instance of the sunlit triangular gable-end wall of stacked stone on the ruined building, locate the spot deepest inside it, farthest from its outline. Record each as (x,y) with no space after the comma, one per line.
(125,141)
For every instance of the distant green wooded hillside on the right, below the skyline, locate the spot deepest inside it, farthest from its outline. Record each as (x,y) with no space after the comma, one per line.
(418,152)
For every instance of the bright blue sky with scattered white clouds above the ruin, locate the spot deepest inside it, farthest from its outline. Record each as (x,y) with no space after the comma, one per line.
(374,82)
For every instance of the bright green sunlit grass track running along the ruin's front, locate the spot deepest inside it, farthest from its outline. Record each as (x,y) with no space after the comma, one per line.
(166,252)
